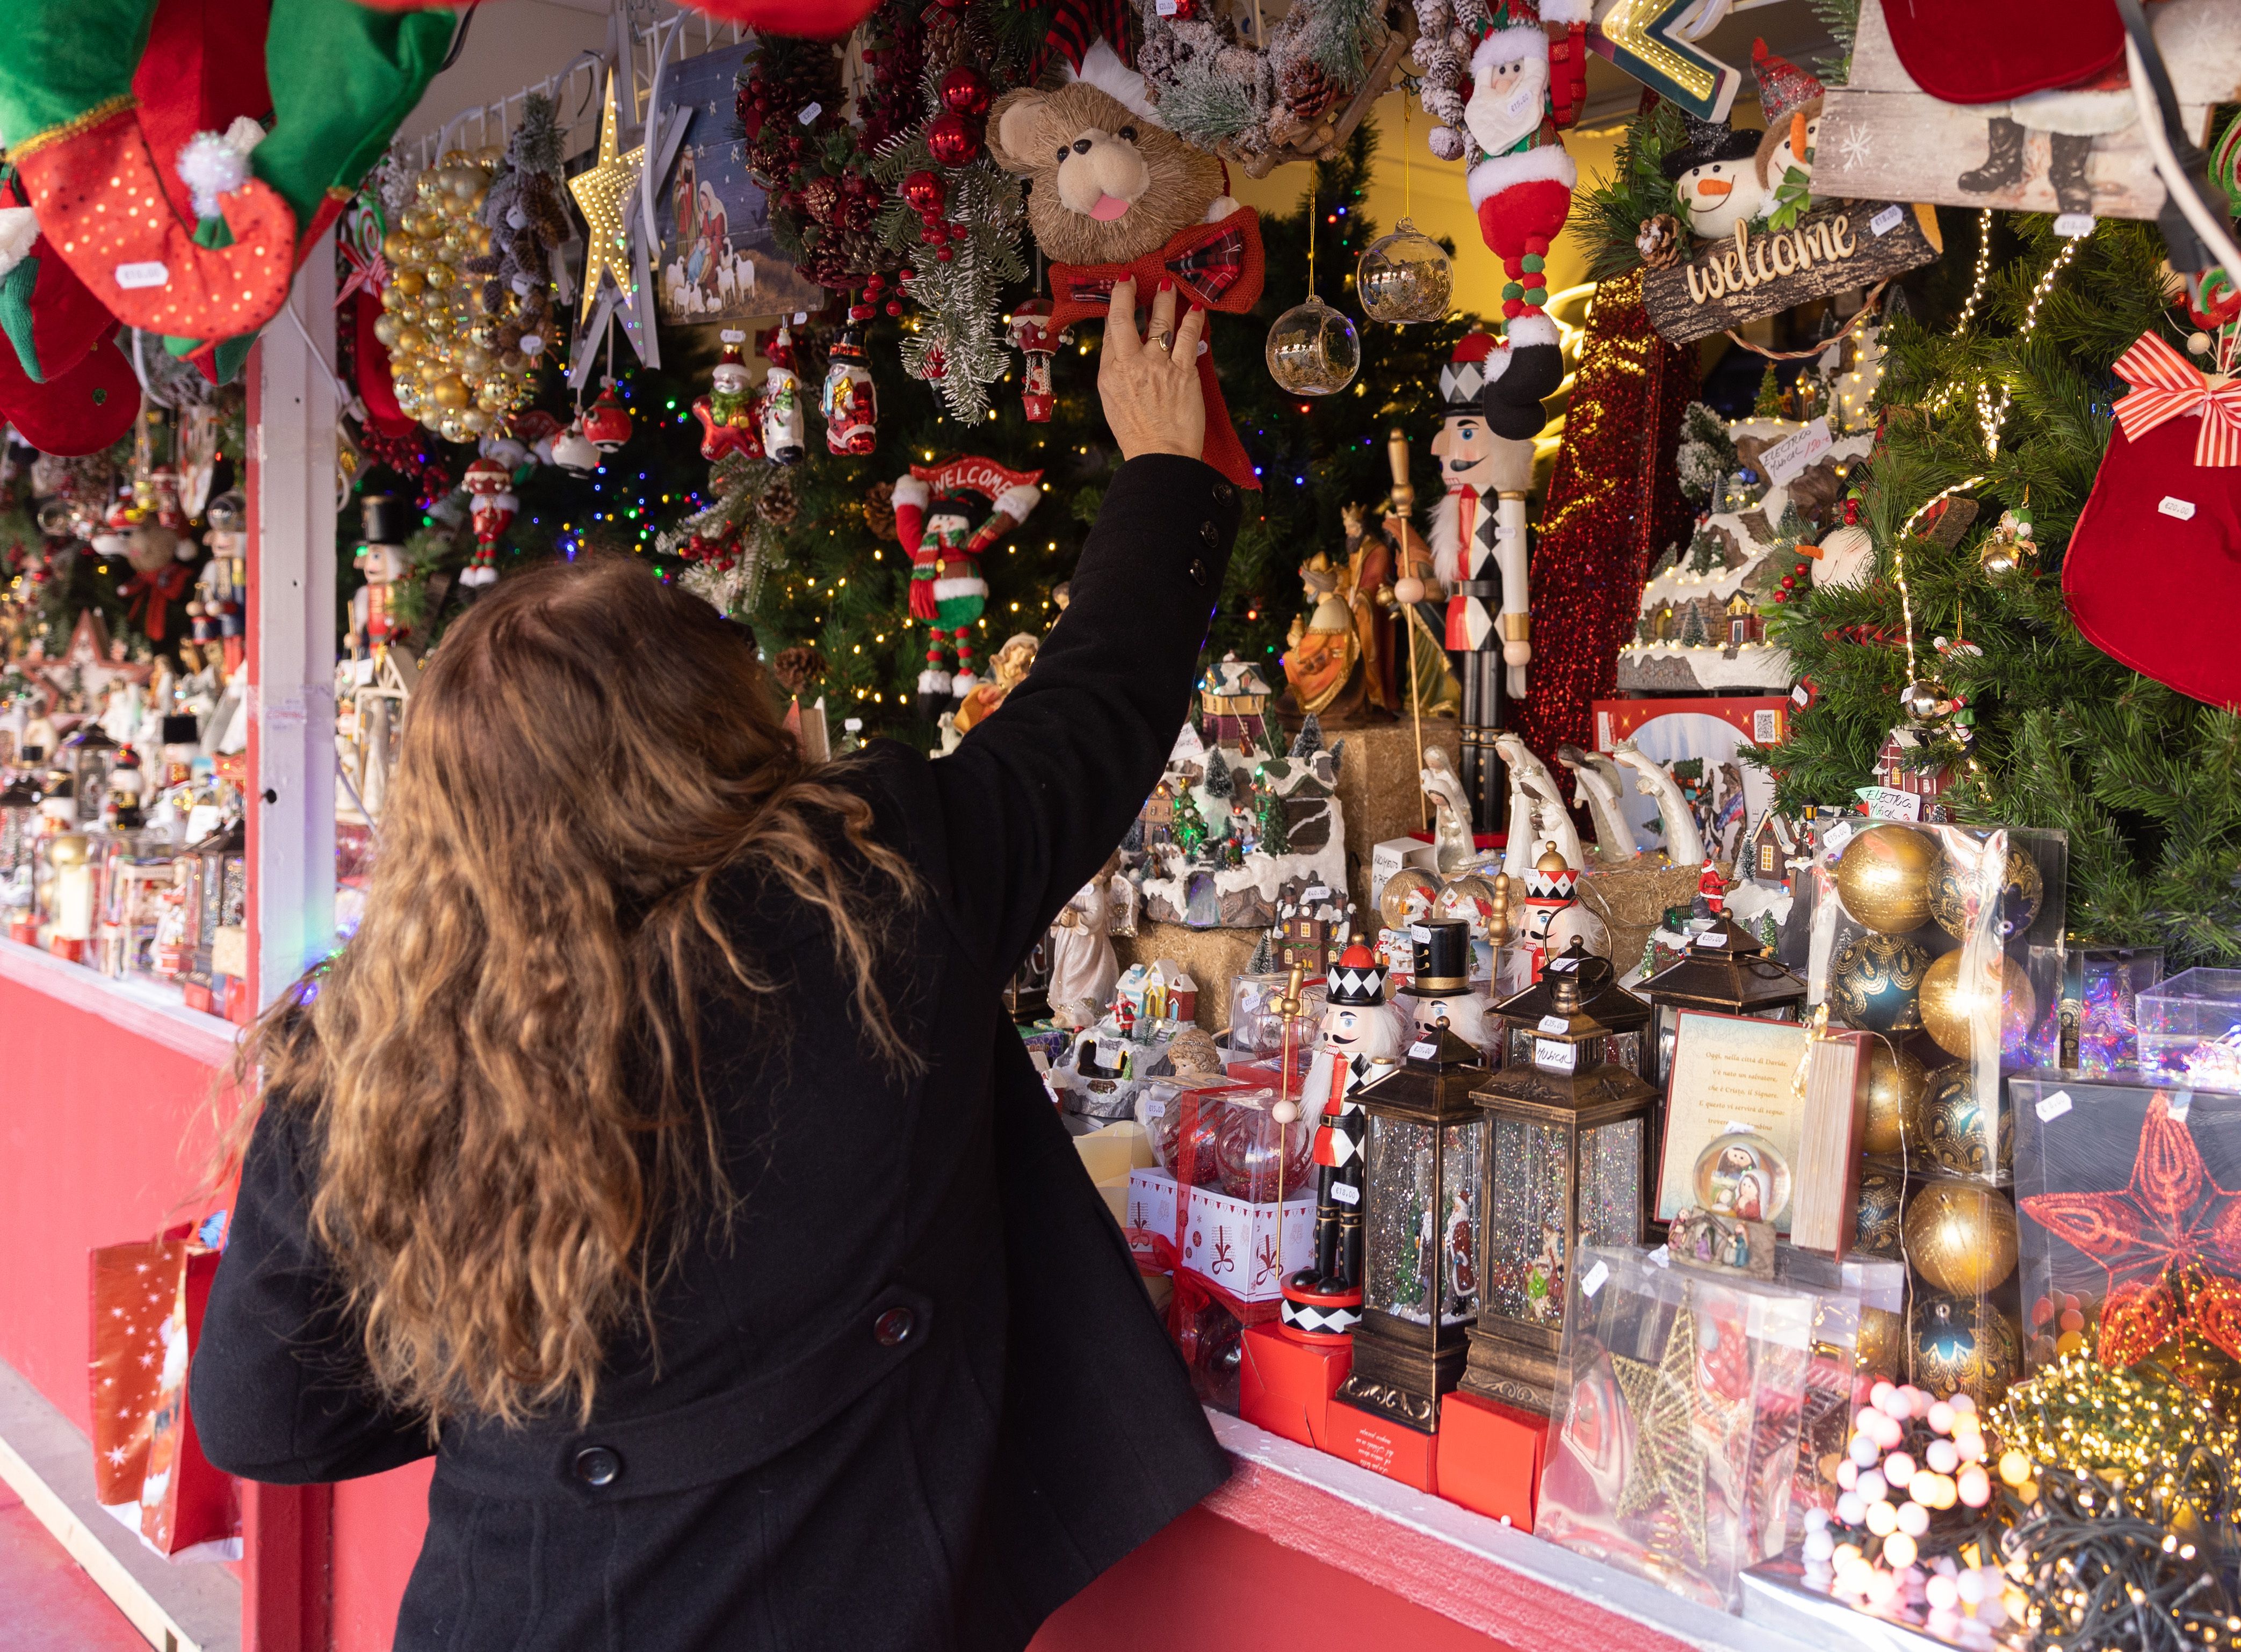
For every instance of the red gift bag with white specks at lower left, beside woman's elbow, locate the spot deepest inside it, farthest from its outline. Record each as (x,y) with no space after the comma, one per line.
(149,1469)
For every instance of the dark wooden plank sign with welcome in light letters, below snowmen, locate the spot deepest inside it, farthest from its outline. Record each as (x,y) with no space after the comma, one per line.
(1763,272)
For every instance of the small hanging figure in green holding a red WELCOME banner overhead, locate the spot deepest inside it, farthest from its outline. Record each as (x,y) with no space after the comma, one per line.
(933,521)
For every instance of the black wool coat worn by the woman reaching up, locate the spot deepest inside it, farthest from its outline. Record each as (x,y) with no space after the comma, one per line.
(915,1398)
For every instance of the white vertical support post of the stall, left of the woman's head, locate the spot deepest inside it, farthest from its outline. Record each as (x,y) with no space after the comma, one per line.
(292,633)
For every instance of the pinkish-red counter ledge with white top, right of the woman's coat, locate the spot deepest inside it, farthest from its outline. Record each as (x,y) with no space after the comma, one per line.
(1487,1577)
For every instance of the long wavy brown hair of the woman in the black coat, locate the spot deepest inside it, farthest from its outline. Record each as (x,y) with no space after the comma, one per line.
(503,1066)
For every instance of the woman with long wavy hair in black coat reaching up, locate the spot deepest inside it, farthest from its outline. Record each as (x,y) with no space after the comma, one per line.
(660,1160)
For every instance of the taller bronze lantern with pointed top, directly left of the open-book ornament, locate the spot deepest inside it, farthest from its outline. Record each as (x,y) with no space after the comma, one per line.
(1565,1164)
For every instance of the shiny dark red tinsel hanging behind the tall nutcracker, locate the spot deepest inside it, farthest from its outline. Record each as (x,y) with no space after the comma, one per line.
(1615,503)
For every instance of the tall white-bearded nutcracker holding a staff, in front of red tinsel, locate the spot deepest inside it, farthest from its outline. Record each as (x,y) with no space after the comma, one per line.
(1476,562)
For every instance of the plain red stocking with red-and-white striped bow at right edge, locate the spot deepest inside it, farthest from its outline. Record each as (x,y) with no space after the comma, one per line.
(2152,573)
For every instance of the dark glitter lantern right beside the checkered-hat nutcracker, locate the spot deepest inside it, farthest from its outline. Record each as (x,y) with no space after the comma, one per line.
(1422,1216)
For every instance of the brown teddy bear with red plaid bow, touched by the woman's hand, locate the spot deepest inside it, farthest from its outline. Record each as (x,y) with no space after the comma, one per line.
(1113,194)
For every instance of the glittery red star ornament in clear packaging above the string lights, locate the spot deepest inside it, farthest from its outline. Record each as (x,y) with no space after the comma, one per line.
(2170,1227)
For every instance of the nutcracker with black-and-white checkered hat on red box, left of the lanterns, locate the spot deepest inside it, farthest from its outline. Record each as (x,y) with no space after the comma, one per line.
(1326,1301)
